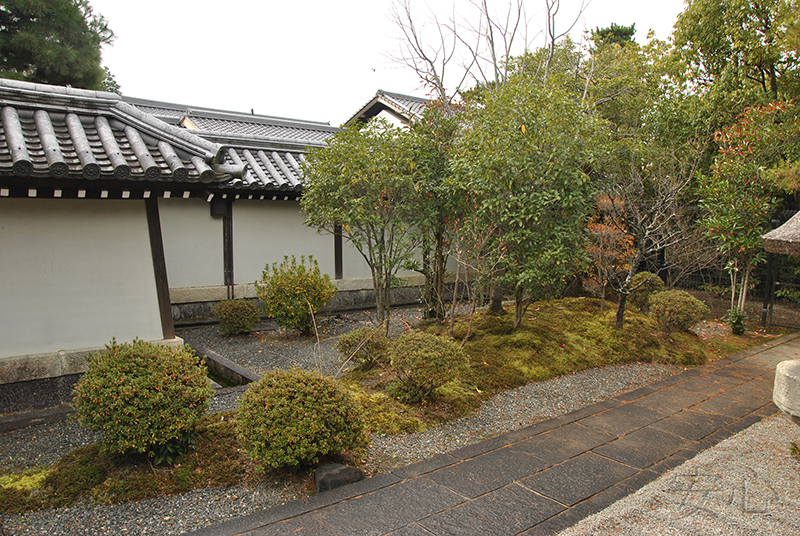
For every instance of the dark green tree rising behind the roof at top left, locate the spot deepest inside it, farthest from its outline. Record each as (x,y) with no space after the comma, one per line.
(53,42)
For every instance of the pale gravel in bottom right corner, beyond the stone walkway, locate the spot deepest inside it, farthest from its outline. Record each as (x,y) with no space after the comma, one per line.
(748,484)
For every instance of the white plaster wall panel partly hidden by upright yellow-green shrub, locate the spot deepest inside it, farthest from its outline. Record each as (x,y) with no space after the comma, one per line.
(265,231)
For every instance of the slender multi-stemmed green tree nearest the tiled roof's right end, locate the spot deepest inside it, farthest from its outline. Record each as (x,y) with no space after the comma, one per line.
(363,182)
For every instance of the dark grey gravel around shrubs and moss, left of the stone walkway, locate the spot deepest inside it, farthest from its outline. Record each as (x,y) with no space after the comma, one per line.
(176,515)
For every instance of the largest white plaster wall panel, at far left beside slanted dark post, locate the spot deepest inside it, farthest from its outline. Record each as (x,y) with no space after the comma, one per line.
(75,273)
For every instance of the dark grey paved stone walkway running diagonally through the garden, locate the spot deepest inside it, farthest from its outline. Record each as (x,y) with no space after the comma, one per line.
(547,477)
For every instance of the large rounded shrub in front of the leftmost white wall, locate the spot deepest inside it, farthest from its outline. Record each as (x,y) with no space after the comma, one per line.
(141,395)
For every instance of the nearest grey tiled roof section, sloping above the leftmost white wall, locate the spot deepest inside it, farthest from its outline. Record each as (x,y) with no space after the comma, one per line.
(60,133)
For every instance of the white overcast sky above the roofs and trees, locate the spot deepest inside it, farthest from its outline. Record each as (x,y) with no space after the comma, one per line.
(319,60)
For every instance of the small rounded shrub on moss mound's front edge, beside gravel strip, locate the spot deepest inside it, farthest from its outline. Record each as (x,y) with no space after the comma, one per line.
(425,362)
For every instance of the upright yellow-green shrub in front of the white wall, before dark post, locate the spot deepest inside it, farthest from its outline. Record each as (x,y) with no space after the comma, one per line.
(292,291)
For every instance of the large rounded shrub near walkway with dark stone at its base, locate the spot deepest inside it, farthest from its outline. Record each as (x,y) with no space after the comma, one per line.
(290,418)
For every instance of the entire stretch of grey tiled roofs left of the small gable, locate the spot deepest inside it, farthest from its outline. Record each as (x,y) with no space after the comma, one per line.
(58,133)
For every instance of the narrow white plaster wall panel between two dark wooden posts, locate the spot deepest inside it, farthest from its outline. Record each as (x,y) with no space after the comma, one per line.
(192,243)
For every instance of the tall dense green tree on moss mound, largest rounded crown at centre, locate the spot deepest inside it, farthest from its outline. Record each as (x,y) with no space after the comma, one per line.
(522,161)
